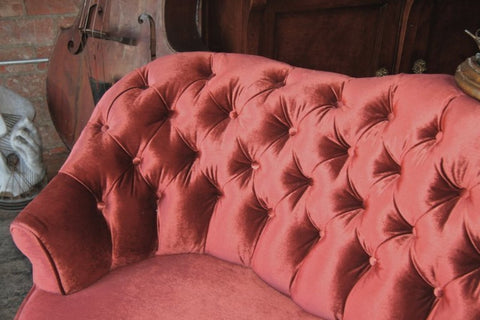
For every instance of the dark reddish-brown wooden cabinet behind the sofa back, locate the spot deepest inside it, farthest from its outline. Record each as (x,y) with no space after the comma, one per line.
(355,37)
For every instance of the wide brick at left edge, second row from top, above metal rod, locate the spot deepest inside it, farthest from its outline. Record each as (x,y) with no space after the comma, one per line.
(38,31)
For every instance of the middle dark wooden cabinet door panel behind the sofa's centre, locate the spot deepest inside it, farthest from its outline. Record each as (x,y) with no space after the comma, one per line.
(354,37)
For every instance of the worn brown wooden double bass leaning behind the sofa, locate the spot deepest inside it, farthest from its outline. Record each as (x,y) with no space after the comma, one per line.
(107,40)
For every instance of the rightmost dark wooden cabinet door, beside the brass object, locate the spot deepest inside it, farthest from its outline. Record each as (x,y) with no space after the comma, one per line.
(435,34)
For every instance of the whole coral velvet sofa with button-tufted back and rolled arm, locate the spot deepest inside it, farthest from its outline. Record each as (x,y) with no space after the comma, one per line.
(226,186)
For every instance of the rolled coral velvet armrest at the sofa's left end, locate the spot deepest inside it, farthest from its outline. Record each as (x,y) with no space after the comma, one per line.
(64,236)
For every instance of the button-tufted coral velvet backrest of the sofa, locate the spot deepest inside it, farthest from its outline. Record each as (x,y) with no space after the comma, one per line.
(359,198)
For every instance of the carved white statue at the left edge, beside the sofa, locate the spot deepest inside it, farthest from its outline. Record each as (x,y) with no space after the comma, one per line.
(21,166)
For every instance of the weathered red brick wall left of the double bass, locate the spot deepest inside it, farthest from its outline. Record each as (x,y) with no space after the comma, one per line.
(28,30)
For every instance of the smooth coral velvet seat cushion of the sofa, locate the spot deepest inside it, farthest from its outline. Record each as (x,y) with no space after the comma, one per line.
(188,286)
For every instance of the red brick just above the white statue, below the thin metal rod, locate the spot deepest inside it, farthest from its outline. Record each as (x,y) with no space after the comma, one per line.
(30,86)
